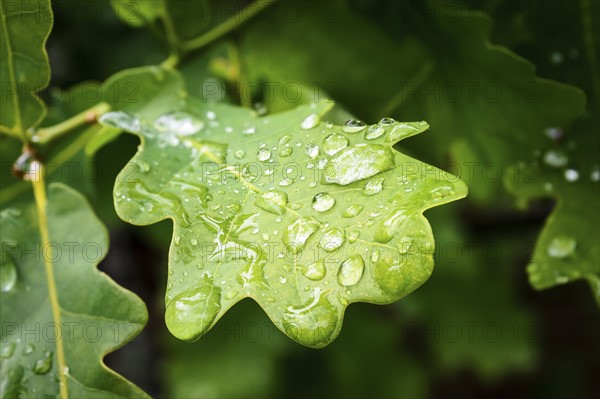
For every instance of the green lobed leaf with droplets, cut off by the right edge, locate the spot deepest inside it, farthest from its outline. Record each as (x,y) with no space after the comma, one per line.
(567,170)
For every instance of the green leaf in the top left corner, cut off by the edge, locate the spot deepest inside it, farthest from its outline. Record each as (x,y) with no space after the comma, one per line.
(24,67)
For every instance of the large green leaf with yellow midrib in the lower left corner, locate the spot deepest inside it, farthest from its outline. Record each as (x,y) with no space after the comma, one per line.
(96,315)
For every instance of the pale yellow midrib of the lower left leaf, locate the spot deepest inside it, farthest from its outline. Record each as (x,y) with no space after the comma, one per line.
(39,191)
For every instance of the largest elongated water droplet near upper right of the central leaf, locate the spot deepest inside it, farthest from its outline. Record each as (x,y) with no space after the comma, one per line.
(357,163)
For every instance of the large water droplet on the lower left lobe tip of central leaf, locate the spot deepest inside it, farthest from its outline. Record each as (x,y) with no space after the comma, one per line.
(192,312)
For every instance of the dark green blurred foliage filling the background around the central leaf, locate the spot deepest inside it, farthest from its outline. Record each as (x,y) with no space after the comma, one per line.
(511,90)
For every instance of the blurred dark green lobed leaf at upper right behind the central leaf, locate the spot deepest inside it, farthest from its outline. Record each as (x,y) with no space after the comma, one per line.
(489,98)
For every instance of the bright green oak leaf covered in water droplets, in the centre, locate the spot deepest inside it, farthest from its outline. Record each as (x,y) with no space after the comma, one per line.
(302,216)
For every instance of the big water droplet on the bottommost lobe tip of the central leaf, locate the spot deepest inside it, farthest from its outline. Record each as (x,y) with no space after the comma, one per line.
(313,324)
